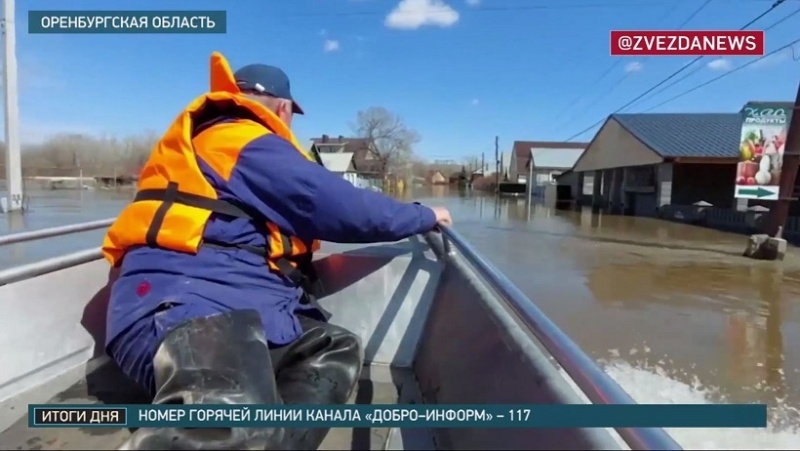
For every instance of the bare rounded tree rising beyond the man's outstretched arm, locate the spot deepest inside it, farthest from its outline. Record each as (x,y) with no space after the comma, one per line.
(392,141)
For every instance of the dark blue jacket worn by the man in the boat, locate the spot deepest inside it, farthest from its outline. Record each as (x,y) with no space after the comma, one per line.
(302,198)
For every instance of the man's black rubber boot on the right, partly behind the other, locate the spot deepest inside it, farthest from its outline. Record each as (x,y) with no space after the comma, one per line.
(320,368)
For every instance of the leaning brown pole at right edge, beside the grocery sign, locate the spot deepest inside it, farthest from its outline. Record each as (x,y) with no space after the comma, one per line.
(791,160)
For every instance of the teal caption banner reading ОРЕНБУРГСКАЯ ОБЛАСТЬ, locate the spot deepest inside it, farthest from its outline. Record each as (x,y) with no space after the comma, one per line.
(127,22)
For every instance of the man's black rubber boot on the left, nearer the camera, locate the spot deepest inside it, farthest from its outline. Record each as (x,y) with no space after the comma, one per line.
(218,359)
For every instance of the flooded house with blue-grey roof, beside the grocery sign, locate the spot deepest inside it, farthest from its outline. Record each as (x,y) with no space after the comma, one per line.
(639,163)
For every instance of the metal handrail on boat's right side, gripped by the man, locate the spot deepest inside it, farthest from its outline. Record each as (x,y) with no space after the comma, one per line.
(598,386)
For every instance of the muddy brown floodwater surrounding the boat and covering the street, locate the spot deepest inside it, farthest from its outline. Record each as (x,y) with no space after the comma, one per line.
(672,311)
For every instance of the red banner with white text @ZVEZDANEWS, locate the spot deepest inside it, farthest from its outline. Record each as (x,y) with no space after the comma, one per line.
(687,43)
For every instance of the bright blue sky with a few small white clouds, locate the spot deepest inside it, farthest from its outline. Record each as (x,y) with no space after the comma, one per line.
(458,71)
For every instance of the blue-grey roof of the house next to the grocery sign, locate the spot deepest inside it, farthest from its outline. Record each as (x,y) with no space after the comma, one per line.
(699,135)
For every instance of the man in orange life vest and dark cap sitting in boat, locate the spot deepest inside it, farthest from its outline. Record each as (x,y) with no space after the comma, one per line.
(215,299)
